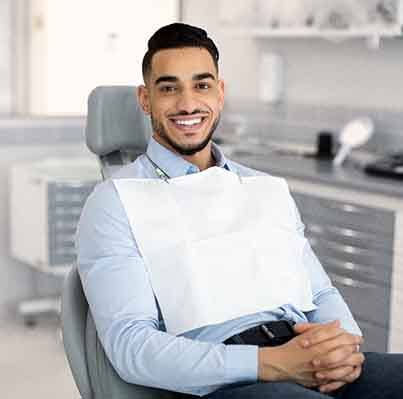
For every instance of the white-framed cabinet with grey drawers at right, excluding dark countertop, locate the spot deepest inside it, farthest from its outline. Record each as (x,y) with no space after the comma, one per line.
(358,239)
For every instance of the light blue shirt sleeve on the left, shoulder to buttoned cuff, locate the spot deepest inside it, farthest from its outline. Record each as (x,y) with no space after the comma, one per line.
(119,293)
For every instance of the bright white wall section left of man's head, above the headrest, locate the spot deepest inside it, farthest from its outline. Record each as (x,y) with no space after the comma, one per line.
(77,45)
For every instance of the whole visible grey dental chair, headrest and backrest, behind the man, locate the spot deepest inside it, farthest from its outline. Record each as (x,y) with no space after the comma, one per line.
(117,132)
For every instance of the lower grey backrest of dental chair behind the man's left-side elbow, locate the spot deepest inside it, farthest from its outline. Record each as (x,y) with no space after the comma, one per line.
(94,375)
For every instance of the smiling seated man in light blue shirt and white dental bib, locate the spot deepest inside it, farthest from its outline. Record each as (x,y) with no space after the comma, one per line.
(172,293)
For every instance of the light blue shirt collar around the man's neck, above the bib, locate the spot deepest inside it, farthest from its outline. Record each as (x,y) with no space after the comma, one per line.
(174,165)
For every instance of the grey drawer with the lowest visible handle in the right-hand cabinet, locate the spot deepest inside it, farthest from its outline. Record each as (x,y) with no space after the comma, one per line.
(367,301)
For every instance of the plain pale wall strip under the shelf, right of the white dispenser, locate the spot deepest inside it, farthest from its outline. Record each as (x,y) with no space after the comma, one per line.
(348,73)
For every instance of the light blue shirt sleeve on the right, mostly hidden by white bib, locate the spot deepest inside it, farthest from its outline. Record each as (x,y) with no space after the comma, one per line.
(330,304)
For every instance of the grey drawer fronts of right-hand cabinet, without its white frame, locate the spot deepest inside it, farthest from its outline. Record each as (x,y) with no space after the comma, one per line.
(355,246)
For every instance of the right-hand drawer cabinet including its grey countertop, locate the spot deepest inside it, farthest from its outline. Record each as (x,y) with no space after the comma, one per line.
(355,226)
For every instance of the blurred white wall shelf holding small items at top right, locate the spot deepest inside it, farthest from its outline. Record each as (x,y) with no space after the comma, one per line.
(283,22)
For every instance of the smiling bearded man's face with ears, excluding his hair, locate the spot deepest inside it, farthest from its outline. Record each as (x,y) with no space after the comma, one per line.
(184,98)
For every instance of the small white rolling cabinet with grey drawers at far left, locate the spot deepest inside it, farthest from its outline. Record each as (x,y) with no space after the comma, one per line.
(46,199)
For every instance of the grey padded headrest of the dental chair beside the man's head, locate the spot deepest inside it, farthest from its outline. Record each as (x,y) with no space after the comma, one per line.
(115,121)
